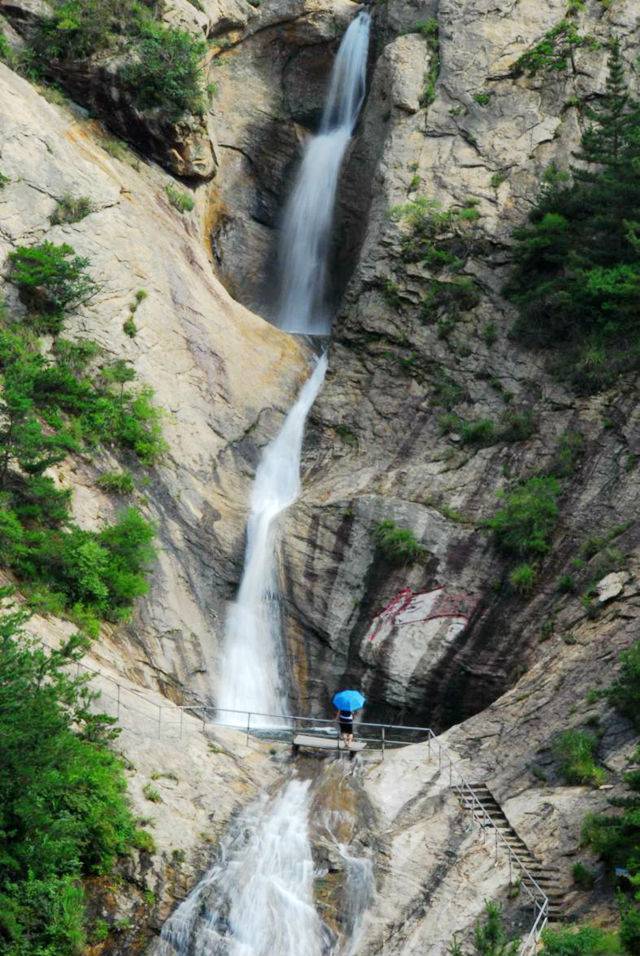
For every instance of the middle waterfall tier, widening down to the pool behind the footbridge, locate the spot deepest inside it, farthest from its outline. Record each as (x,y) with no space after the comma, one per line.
(252,673)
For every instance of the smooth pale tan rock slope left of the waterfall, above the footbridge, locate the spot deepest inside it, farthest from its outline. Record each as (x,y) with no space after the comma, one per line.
(193,347)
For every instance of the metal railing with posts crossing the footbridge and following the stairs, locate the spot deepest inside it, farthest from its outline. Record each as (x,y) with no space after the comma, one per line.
(170,721)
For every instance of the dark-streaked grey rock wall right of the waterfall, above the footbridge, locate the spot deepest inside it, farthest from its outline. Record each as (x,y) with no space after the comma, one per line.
(380,448)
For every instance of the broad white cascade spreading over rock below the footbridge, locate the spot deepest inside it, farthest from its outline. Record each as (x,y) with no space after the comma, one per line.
(258,898)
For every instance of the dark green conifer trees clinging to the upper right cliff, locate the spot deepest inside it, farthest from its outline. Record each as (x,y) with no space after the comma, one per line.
(577,275)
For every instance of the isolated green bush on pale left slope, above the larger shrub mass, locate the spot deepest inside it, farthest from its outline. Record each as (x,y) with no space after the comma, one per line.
(52,280)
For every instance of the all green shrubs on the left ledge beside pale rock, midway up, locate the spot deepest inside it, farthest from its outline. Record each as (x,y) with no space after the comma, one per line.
(67,400)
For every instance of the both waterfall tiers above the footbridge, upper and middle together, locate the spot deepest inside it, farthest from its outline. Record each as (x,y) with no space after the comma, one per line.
(252,674)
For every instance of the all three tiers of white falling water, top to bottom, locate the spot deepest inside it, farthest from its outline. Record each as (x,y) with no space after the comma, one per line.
(257,899)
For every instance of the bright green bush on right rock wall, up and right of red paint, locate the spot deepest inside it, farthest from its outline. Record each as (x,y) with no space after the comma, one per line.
(525,523)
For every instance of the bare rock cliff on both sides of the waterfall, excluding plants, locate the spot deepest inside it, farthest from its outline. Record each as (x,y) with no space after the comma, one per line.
(446,118)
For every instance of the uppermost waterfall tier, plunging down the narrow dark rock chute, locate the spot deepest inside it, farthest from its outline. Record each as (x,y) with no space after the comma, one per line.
(308,218)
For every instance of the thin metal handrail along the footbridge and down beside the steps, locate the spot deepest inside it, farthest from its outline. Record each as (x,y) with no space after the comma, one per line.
(536,894)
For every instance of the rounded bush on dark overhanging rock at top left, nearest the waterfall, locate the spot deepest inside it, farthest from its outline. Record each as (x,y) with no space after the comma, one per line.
(167,73)
